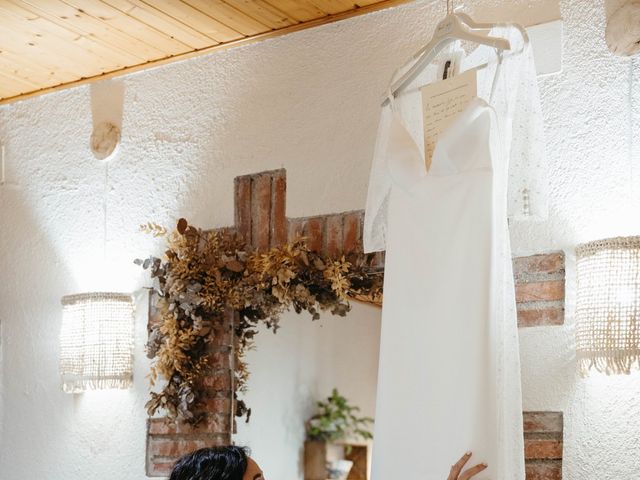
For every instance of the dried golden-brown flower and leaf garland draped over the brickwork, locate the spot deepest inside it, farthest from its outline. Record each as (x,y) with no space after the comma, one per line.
(204,275)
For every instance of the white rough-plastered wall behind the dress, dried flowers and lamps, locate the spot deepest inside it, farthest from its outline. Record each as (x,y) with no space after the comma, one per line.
(307,102)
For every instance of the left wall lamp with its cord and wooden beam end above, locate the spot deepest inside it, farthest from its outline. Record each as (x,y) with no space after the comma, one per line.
(96,338)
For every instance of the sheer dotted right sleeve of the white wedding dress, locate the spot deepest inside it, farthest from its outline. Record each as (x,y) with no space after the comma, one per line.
(528,182)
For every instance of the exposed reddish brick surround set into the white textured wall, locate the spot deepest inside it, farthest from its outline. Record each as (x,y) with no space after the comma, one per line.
(260,218)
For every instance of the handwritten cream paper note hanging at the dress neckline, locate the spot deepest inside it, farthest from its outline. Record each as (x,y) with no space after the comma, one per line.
(442,102)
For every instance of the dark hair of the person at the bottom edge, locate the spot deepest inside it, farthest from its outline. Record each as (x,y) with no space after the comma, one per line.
(217,463)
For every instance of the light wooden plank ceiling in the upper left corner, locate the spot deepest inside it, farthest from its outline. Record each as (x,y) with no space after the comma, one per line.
(52,44)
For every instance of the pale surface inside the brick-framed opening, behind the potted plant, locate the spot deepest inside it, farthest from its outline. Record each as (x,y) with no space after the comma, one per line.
(296,367)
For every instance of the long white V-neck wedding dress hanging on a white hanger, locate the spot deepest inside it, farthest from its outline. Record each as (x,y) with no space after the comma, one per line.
(449,374)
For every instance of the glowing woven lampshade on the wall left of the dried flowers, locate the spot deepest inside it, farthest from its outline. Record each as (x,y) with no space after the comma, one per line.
(96,341)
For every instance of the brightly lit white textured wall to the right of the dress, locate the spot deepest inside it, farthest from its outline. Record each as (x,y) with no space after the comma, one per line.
(591,111)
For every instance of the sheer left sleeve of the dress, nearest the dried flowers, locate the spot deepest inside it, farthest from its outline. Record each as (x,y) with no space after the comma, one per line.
(375,216)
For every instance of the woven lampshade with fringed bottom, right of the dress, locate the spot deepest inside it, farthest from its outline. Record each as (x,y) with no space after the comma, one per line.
(608,305)
